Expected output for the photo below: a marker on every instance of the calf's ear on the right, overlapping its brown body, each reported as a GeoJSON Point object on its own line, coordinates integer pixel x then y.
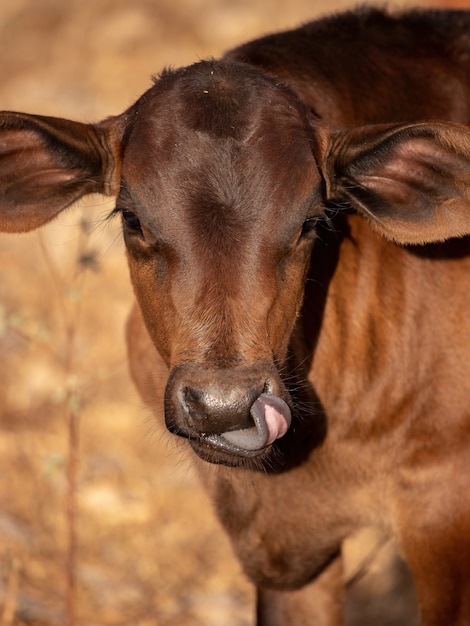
{"type": "Point", "coordinates": [412, 180]}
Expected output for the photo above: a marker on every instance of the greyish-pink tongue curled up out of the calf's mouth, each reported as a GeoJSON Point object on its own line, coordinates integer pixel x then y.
{"type": "Point", "coordinates": [271, 417]}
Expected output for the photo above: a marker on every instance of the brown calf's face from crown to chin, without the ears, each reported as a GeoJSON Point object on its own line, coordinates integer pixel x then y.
{"type": "Point", "coordinates": [219, 272]}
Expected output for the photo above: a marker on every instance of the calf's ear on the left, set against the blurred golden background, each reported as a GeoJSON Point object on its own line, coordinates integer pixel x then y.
{"type": "Point", "coordinates": [46, 164]}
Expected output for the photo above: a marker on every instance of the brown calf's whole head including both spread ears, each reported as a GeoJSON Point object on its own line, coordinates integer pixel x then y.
{"type": "Point", "coordinates": [221, 176]}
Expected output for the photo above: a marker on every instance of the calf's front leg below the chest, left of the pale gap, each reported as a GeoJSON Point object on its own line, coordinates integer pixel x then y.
{"type": "Point", "coordinates": [318, 604]}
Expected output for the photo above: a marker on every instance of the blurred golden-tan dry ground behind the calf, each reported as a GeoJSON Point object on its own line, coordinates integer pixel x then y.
{"type": "Point", "coordinates": [148, 550]}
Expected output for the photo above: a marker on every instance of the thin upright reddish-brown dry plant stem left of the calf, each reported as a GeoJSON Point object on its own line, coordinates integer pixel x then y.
{"type": "Point", "coordinates": [70, 317]}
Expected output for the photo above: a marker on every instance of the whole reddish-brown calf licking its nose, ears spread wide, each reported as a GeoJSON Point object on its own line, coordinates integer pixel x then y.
{"type": "Point", "coordinates": [324, 368]}
